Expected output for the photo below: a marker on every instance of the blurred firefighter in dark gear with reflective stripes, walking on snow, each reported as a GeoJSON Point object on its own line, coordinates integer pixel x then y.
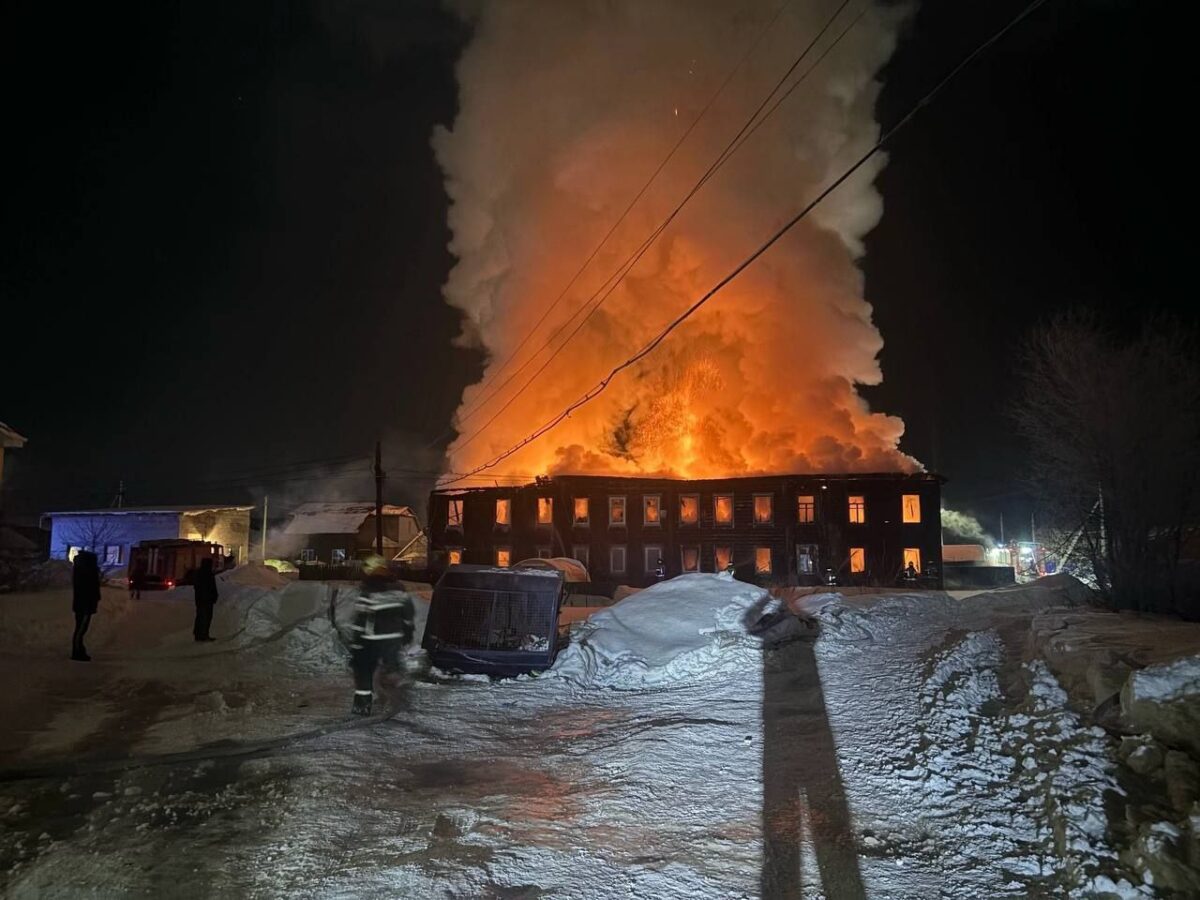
{"type": "Point", "coordinates": [381, 628]}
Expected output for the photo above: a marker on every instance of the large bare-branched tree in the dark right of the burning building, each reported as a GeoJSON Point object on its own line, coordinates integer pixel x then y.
{"type": "Point", "coordinates": [1114, 430]}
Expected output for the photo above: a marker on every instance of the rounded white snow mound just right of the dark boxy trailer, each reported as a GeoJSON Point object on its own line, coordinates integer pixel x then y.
{"type": "Point", "coordinates": [681, 631]}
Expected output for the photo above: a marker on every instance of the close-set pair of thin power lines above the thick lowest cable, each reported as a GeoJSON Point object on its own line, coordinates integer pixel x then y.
{"type": "Point", "coordinates": [619, 277]}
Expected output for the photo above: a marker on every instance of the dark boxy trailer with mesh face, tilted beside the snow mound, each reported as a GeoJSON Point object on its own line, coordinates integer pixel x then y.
{"type": "Point", "coordinates": [491, 621]}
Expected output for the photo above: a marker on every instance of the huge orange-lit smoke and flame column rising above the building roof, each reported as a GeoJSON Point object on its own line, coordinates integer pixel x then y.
{"type": "Point", "coordinates": [566, 109]}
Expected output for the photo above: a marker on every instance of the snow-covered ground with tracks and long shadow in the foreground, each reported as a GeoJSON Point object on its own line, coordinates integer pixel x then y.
{"type": "Point", "coordinates": [694, 741]}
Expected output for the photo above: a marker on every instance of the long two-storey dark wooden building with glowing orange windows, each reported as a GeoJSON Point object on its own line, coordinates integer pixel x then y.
{"type": "Point", "coordinates": [772, 530]}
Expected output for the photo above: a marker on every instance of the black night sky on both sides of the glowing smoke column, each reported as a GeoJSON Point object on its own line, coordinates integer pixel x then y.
{"type": "Point", "coordinates": [226, 237]}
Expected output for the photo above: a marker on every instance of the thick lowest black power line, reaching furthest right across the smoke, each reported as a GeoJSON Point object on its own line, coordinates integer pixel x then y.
{"type": "Point", "coordinates": [771, 242]}
